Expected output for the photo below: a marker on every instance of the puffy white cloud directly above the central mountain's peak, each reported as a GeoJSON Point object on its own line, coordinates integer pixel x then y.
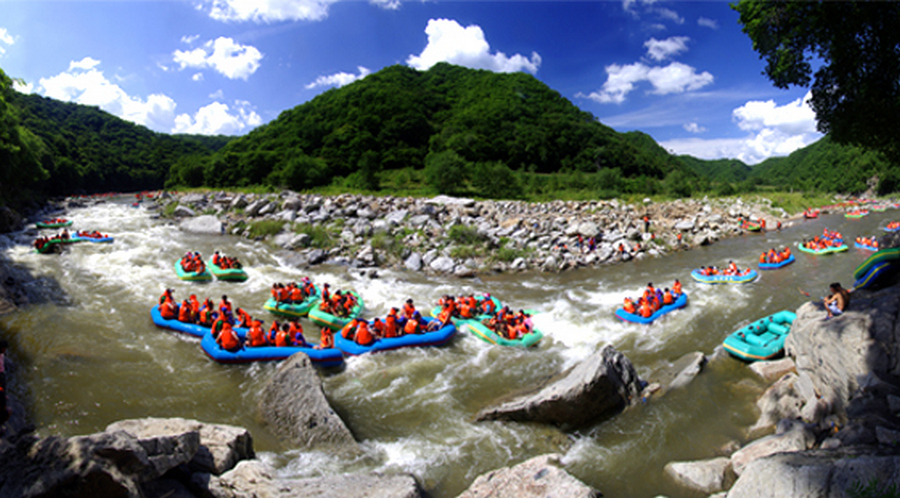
{"type": "Point", "coordinates": [450, 42]}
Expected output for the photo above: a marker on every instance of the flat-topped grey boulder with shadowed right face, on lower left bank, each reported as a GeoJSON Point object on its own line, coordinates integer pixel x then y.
{"type": "Point", "coordinates": [220, 447]}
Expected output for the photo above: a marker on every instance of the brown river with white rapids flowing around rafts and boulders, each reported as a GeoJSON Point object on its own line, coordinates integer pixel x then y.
{"type": "Point", "coordinates": [91, 355]}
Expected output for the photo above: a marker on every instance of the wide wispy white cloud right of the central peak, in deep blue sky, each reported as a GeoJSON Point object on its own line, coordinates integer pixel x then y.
{"type": "Point", "coordinates": [674, 78]}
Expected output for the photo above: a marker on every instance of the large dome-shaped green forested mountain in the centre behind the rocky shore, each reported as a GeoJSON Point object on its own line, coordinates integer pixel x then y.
{"type": "Point", "coordinates": [452, 122]}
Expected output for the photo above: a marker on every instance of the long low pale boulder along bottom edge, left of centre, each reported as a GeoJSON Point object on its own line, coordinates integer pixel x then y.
{"type": "Point", "coordinates": [253, 478]}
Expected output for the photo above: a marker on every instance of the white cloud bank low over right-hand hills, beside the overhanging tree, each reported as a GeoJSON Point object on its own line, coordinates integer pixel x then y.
{"type": "Point", "coordinates": [774, 131]}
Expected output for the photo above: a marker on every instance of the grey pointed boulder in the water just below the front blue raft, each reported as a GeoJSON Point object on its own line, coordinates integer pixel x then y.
{"type": "Point", "coordinates": [293, 403]}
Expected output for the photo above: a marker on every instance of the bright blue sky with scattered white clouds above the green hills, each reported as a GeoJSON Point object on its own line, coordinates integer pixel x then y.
{"type": "Point", "coordinates": [682, 72]}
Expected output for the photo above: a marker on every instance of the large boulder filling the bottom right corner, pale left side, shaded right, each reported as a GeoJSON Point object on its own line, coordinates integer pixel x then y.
{"type": "Point", "coordinates": [819, 474]}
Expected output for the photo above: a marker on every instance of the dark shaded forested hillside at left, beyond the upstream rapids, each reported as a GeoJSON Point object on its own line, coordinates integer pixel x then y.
{"type": "Point", "coordinates": [85, 149]}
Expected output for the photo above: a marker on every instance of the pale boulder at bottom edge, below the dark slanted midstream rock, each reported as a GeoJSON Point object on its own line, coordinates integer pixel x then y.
{"type": "Point", "coordinates": [539, 477]}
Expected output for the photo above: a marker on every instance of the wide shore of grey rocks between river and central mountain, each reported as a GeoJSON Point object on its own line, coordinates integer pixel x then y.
{"type": "Point", "coordinates": [447, 235]}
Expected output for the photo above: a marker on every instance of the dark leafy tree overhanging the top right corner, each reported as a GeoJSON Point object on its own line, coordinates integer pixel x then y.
{"type": "Point", "coordinates": [856, 89]}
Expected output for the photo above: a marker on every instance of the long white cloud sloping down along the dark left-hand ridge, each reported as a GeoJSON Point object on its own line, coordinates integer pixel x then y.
{"type": "Point", "coordinates": [84, 84]}
